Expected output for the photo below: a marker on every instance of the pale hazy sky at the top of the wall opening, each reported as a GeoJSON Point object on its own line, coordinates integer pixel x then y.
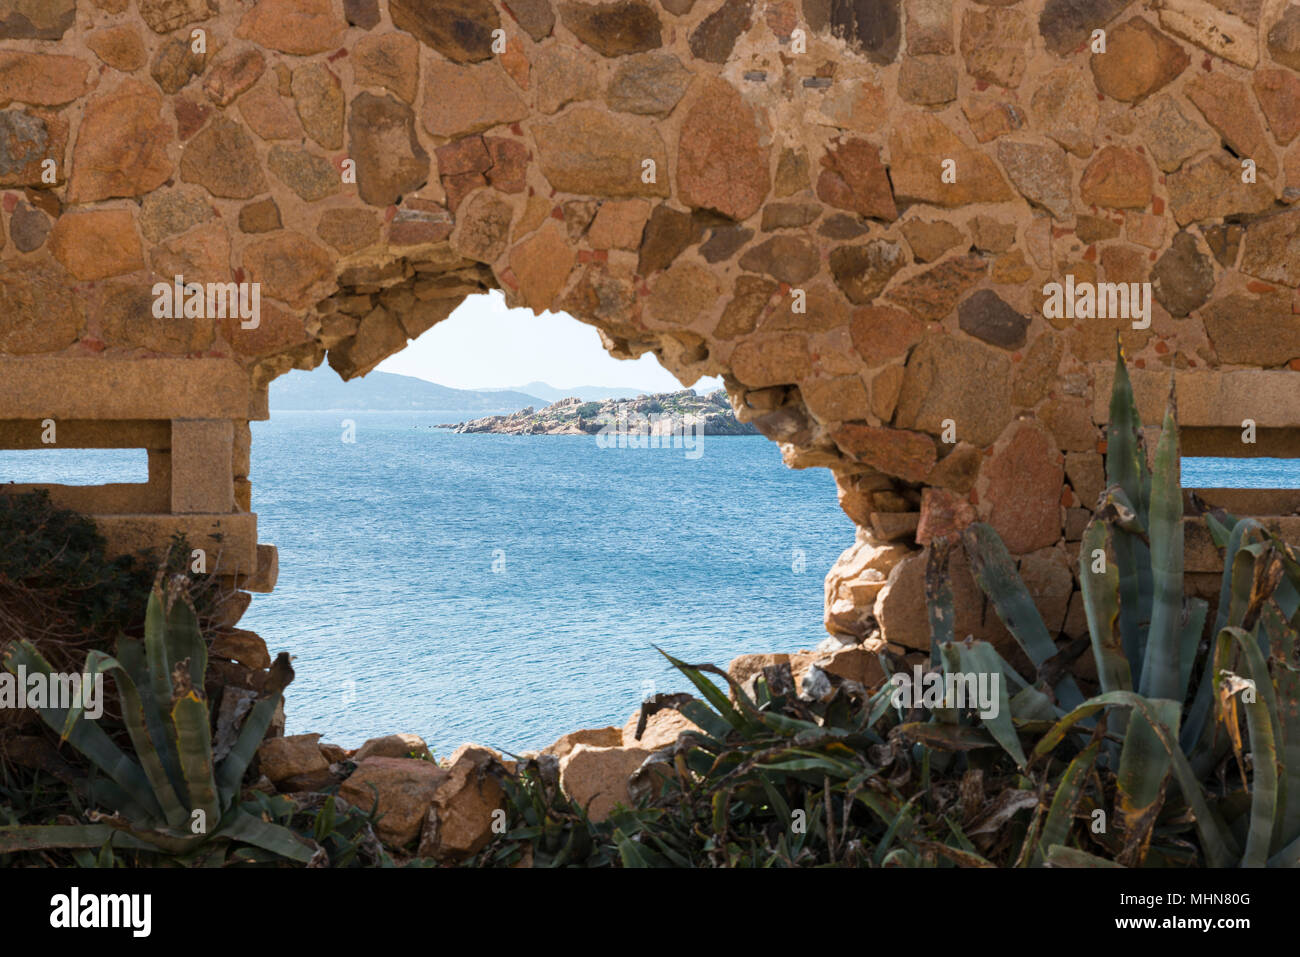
{"type": "Point", "coordinates": [483, 345]}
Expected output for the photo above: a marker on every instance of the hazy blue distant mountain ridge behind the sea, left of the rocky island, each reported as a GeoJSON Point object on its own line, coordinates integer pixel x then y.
{"type": "Point", "coordinates": [383, 392]}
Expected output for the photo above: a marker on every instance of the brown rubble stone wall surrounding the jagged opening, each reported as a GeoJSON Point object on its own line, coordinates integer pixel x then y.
{"type": "Point", "coordinates": [847, 209]}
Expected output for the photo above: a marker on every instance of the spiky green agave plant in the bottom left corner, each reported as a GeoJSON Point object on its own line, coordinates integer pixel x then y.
{"type": "Point", "coordinates": [172, 799]}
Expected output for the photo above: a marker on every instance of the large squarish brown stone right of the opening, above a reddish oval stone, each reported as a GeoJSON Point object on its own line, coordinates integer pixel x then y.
{"type": "Point", "coordinates": [963, 382]}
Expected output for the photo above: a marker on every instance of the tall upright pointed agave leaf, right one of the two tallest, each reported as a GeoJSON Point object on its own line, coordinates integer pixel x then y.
{"type": "Point", "coordinates": [1162, 668]}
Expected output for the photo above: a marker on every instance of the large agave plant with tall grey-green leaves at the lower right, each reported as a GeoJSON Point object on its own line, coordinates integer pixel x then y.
{"type": "Point", "coordinates": [1163, 717]}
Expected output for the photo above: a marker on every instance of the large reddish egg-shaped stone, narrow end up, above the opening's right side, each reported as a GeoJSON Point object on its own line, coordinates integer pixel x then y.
{"type": "Point", "coordinates": [722, 162]}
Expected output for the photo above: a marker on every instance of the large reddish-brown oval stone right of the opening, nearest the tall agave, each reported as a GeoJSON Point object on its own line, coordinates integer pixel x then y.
{"type": "Point", "coordinates": [1020, 490]}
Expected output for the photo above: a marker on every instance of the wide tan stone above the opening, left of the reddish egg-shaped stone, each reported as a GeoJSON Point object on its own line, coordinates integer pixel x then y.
{"type": "Point", "coordinates": [587, 151]}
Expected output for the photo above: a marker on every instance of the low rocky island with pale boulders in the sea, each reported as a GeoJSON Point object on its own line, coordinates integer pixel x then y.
{"type": "Point", "coordinates": [648, 415]}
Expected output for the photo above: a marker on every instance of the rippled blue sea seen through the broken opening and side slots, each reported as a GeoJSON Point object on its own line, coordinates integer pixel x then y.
{"type": "Point", "coordinates": [508, 590]}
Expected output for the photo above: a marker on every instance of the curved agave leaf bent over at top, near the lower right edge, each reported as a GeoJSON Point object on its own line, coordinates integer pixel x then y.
{"type": "Point", "coordinates": [1262, 720]}
